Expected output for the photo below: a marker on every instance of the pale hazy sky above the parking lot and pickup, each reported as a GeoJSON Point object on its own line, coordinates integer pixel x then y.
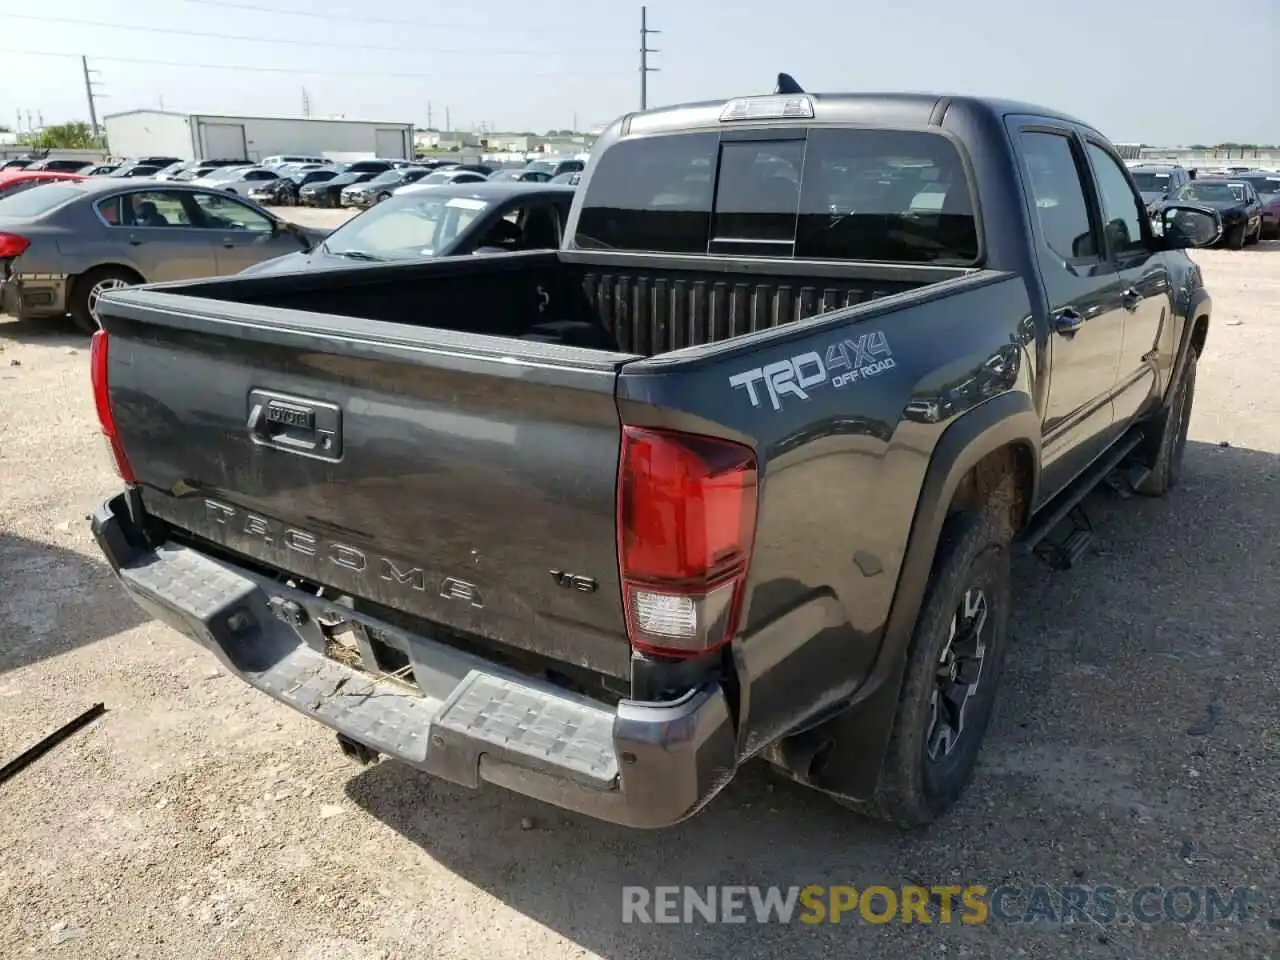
{"type": "Point", "coordinates": [1165, 72]}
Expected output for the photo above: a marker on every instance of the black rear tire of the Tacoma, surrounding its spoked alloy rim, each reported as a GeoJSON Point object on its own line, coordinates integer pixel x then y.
{"type": "Point", "coordinates": [913, 788]}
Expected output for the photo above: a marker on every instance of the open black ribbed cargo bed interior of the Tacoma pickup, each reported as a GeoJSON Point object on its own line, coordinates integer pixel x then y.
{"type": "Point", "coordinates": [634, 305]}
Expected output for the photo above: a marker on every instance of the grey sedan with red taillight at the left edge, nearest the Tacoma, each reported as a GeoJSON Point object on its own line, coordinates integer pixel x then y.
{"type": "Point", "coordinates": [63, 245]}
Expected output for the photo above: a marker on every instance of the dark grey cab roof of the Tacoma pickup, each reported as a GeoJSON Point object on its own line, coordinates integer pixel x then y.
{"type": "Point", "coordinates": [885, 108]}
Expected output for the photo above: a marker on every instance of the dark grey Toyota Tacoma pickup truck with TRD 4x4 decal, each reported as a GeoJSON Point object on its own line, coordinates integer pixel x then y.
{"type": "Point", "coordinates": [735, 473]}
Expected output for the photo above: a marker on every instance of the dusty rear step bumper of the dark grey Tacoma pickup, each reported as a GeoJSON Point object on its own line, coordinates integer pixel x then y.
{"type": "Point", "coordinates": [468, 721]}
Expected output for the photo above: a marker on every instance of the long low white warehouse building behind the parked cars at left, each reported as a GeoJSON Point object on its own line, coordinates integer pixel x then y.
{"type": "Point", "coordinates": [209, 138]}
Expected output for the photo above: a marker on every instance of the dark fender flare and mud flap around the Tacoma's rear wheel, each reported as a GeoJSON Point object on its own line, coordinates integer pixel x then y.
{"type": "Point", "coordinates": [861, 734]}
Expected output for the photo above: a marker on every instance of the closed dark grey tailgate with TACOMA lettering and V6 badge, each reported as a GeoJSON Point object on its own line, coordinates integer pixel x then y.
{"type": "Point", "coordinates": [444, 476]}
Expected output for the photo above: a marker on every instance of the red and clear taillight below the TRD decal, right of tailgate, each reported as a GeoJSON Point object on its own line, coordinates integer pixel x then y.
{"type": "Point", "coordinates": [687, 524]}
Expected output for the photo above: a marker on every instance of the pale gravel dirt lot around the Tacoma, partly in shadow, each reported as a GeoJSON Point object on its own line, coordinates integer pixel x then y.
{"type": "Point", "coordinates": [1137, 743]}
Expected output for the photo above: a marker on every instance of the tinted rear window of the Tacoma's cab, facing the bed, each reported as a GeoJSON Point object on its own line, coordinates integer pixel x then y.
{"type": "Point", "coordinates": [828, 194]}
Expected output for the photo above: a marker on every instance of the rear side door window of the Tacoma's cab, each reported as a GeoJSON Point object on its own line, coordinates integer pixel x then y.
{"type": "Point", "coordinates": [1058, 190]}
